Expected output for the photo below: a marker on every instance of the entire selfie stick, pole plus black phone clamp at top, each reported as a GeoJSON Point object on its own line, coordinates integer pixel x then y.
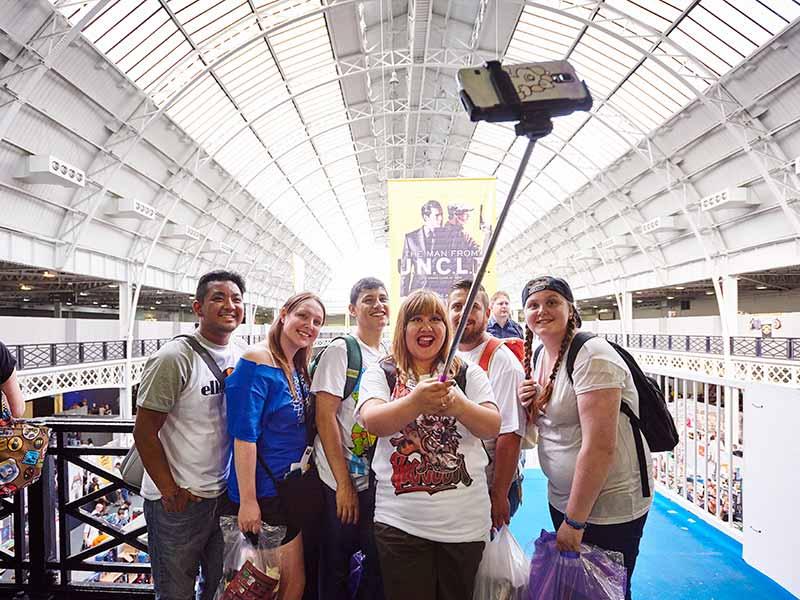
{"type": "Point", "coordinates": [534, 123]}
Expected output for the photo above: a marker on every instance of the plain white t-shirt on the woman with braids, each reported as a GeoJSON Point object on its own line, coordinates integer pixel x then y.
{"type": "Point", "coordinates": [597, 367]}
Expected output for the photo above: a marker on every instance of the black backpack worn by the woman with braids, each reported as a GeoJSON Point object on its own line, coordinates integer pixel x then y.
{"type": "Point", "coordinates": [654, 421]}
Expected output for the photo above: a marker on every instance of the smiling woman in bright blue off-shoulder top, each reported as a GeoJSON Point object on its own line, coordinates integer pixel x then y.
{"type": "Point", "coordinates": [266, 396]}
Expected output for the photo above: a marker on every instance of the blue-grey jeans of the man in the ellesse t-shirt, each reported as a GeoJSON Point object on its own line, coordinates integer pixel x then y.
{"type": "Point", "coordinates": [180, 545]}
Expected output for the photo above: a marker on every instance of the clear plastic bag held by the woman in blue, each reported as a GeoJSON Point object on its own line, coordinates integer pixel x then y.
{"type": "Point", "coordinates": [239, 549]}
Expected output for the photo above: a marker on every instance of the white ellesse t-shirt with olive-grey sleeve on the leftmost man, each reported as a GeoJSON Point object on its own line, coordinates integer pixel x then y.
{"type": "Point", "coordinates": [178, 382]}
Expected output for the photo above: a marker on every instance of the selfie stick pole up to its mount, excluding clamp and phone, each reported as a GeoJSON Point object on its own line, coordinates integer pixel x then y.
{"type": "Point", "coordinates": [533, 127]}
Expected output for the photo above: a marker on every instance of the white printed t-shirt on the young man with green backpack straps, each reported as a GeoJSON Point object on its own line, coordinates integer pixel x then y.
{"type": "Point", "coordinates": [330, 377]}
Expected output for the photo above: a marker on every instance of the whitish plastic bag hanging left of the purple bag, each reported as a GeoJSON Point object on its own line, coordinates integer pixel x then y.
{"type": "Point", "coordinates": [503, 572]}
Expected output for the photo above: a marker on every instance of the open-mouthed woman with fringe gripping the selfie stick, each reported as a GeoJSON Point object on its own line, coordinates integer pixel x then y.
{"type": "Point", "coordinates": [432, 513]}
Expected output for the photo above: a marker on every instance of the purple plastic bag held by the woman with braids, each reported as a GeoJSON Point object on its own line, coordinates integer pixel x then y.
{"type": "Point", "coordinates": [592, 574]}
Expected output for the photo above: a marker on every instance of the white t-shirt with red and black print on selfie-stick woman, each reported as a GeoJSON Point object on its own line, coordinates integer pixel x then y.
{"type": "Point", "coordinates": [431, 477]}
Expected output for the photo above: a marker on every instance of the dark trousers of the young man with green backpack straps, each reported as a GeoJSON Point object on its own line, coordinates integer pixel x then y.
{"type": "Point", "coordinates": [339, 543]}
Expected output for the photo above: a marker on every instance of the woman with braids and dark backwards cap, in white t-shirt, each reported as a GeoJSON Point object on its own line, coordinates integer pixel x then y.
{"type": "Point", "coordinates": [586, 450]}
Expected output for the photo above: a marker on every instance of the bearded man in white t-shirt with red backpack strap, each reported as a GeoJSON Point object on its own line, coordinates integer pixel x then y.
{"type": "Point", "coordinates": [505, 374]}
